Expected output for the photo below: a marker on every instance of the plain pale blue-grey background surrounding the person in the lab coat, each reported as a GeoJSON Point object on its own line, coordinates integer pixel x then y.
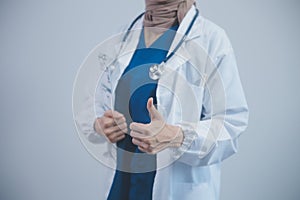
{"type": "Point", "coordinates": [42, 44]}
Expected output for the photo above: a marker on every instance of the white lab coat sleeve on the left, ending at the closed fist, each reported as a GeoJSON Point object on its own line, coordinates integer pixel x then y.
{"type": "Point", "coordinates": [97, 99]}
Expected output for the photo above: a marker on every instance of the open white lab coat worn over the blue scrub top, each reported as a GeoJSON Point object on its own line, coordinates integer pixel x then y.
{"type": "Point", "coordinates": [213, 129]}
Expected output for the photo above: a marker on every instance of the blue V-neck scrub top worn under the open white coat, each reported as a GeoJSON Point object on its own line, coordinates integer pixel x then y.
{"type": "Point", "coordinates": [132, 93]}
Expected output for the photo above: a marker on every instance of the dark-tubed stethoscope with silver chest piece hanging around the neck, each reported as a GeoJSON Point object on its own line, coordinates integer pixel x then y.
{"type": "Point", "coordinates": [156, 70]}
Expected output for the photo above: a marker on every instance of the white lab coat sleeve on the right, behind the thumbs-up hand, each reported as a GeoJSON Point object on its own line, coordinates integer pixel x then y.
{"type": "Point", "coordinates": [215, 136]}
